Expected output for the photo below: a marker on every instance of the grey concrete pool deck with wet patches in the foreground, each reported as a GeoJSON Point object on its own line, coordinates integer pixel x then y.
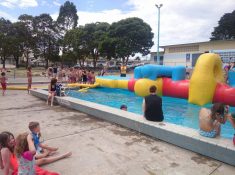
{"type": "Point", "coordinates": [100, 147]}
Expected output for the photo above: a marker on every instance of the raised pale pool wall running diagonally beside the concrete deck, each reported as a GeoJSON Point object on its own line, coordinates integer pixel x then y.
{"type": "Point", "coordinates": [218, 148]}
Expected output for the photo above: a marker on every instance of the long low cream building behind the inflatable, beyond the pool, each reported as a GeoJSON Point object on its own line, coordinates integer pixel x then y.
{"type": "Point", "coordinates": [187, 54]}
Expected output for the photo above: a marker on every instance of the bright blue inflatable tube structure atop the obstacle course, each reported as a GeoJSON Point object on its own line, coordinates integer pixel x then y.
{"type": "Point", "coordinates": [154, 71]}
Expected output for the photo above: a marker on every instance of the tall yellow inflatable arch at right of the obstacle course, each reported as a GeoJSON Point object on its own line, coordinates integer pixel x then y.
{"type": "Point", "coordinates": [207, 73]}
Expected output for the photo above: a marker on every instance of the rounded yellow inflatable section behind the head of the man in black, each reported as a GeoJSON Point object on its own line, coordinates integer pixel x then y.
{"type": "Point", "coordinates": [142, 86]}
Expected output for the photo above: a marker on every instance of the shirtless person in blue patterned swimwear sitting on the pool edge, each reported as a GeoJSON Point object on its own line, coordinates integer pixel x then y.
{"type": "Point", "coordinates": [210, 120]}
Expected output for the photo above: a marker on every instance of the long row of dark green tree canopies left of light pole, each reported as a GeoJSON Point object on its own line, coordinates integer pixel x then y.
{"type": "Point", "coordinates": [42, 36]}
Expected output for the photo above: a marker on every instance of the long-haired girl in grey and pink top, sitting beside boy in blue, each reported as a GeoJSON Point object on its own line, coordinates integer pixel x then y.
{"type": "Point", "coordinates": [25, 154]}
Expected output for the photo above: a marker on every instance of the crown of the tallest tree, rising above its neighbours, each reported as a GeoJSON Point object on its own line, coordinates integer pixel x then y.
{"type": "Point", "coordinates": [68, 18]}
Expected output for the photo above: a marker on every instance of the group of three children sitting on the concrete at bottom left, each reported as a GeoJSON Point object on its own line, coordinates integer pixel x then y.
{"type": "Point", "coordinates": [26, 153]}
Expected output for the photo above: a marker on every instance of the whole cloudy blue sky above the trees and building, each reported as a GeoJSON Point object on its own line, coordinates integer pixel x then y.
{"type": "Point", "coordinates": [182, 21]}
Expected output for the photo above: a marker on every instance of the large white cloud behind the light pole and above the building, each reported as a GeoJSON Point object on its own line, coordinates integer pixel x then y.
{"type": "Point", "coordinates": [181, 21]}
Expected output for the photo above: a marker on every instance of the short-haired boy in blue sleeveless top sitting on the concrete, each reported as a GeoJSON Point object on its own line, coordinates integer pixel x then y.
{"type": "Point", "coordinates": [41, 149]}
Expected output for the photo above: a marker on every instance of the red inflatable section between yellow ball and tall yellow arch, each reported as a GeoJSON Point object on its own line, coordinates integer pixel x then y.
{"type": "Point", "coordinates": [178, 89]}
